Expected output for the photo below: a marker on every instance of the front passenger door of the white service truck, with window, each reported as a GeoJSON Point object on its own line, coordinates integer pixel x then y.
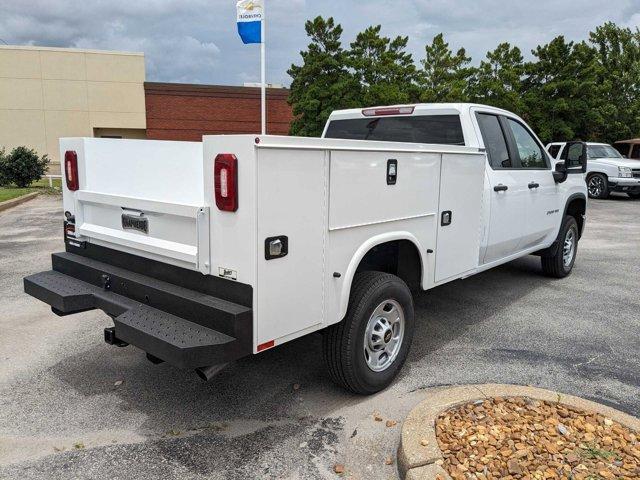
{"type": "Point", "coordinates": [543, 209]}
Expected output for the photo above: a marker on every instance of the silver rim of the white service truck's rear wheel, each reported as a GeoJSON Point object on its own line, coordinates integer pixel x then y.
{"type": "Point", "coordinates": [384, 335]}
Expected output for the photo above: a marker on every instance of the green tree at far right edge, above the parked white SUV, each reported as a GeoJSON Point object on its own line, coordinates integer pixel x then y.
{"type": "Point", "coordinates": [618, 55]}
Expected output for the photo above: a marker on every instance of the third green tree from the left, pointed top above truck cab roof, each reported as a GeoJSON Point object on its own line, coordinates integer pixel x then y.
{"type": "Point", "coordinates": [445, 75]}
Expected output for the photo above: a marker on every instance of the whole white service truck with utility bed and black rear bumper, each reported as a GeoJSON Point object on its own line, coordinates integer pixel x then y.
{"type": "Point", "coordinates": [203, 253]}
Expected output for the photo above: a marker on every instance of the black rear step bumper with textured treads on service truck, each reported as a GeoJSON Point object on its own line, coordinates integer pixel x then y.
{"type": "Point", "coordinates": [185, 328]}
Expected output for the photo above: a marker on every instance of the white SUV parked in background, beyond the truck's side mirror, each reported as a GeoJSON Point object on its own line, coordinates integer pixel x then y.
{"type": "Point", "coordinates": [607, 170]}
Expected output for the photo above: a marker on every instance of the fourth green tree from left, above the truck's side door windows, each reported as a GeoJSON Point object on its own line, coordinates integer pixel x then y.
{"type": "Point", "coordinates": [498, 79]}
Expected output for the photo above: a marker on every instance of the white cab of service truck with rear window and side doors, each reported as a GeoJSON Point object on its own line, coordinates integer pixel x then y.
{"type": "Point", "coordinates": [521, 200]}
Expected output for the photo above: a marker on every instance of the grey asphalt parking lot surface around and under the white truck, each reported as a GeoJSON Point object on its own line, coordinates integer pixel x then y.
{"type": "Point", "coordinates": [73, 407]}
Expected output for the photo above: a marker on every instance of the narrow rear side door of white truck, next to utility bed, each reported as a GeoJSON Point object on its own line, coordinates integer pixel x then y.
{"type": "Point", "coordinates": [507, 190]}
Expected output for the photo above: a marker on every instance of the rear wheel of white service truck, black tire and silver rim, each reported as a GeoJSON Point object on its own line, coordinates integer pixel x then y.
{"type": "Point", "coordinates": [366, 350]}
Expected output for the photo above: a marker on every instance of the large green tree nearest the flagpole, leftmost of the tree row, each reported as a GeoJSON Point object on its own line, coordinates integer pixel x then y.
{"type": "Point", "coordinates": [323, 82]}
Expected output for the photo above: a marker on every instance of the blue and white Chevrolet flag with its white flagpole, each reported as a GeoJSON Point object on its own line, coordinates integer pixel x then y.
{"type": "Point", "coordinates": [251, 27]}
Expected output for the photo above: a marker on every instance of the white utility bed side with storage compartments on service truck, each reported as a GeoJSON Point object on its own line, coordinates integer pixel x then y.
{"type": "Point", "coordinates": [332, 201]}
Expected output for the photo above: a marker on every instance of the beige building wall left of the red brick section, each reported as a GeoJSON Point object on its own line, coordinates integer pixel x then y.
{"type": "Point", "coordinates": [48, 93]}
